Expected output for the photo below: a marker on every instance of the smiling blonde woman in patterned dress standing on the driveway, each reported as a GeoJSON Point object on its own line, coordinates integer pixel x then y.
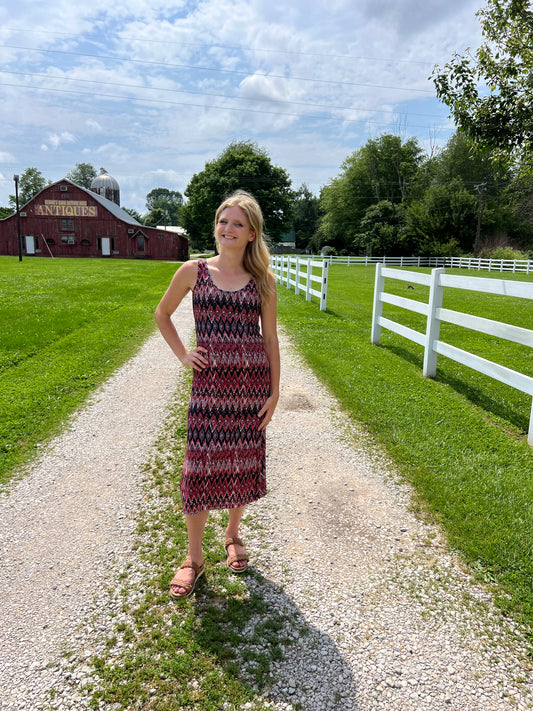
{"type": "Point", "coordinates": [235, 388]}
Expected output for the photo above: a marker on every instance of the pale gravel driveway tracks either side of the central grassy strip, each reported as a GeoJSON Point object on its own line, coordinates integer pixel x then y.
{"type": "Point", "coordinates": [377, 613]}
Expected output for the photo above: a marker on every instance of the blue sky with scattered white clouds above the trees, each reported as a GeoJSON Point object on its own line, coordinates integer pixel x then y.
{"type": "Point", "coordinates": [152, 90]}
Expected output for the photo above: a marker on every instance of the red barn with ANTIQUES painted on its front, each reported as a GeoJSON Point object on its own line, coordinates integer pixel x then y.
{"type": "Point", "coordinates": [66, 220]}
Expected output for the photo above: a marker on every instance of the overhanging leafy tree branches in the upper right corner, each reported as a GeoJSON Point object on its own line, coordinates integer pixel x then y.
{"type": "Point", "coordinates": [490, 94]}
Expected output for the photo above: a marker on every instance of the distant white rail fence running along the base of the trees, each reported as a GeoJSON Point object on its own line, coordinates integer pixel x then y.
{"type": "Point", "coordinates": [523, 266]}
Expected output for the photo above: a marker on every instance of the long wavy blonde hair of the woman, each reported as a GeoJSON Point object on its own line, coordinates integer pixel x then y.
{"type": "Point", "coordinates": [256, 259]}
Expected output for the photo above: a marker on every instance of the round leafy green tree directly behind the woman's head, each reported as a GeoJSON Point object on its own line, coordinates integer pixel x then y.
{"type": "Point", "coordinates": [242, 165]}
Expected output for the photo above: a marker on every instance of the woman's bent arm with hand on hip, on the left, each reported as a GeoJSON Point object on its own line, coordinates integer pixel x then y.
{"type": "Point", "coordinates": [183, 281]}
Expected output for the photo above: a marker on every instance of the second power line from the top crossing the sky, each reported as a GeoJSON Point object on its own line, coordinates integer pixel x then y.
{"type": "Point", "coordinates": [211, 69]}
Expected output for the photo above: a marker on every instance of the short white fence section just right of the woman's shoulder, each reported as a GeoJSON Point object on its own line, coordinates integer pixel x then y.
{"type": "Point", "coordinates": [298, 272]}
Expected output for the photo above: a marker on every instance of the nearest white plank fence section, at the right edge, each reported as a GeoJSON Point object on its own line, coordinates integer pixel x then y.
{"type": "Point", "coordinates": [435, 314]}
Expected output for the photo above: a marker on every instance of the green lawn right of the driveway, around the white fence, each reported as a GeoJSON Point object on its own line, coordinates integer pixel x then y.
{"type": "Point", "coordinates": [460, 438]}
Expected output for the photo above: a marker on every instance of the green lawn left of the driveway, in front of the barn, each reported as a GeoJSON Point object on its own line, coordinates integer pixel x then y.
{"type": "Point", "coordinates": [66, 325]}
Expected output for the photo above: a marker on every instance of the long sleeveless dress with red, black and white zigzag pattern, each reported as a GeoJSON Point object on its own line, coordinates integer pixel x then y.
{"type": "Point", "coordinates": [224, 463]}
